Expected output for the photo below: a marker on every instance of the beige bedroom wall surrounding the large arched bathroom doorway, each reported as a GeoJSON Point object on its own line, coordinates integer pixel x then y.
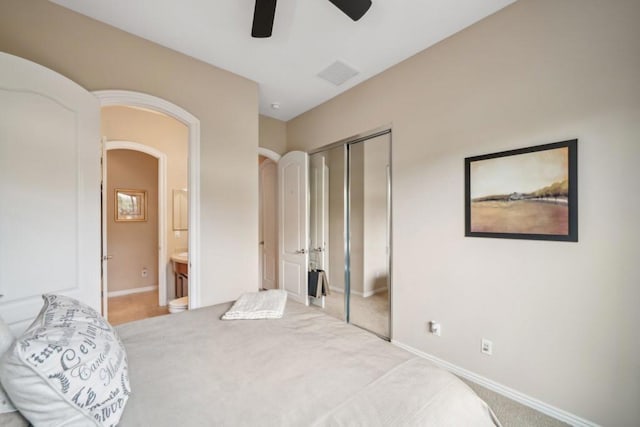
{"type": "Point", "coordinates": [97, 56]}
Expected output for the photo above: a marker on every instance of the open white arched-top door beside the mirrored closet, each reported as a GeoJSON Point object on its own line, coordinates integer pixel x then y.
{"type": "Point", "coordinates": [293, 229]}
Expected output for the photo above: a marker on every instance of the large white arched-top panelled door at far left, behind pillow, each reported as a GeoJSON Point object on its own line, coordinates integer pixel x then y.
{"type": "Point", "coordinates": [49, 188]}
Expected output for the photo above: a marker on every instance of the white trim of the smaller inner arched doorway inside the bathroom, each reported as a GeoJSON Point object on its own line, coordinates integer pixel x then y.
{"type": "Point", "coordinates": [162, 208]}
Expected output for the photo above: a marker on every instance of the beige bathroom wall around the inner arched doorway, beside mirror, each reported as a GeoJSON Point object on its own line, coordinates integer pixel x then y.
{"type": "Point", "coordinates": [168, 136]}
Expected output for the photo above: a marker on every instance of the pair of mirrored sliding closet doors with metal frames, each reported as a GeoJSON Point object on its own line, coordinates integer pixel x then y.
{"type": "Point", "coordinates": [350, 207]}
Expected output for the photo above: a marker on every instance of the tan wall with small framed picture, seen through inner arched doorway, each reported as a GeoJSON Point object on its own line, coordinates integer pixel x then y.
{"type": "Point", "coordinates": [133, 245]}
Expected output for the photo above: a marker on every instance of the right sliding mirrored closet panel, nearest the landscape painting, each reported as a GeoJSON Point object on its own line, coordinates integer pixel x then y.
{"type": "Point", "coordinates": [369, 234]}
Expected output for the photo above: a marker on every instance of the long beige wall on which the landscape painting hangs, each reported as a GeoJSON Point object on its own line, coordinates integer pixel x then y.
{"type": "Point", "coordinates": [536, 72]}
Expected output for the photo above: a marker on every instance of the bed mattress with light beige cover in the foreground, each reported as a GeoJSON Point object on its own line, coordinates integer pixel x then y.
{"type": "Point", "coordinates": [305, 369]}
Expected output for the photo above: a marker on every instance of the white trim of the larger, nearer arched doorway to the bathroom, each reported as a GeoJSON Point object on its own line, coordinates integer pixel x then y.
{"type": "Point", "coordinates": [142, 100]}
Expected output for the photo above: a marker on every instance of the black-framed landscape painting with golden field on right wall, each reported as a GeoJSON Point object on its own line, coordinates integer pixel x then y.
{"type": "Point", "coordinates": [528, 193]}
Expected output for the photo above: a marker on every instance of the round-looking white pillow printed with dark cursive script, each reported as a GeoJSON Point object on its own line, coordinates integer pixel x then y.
{"type": "Point", "coordinates": [68, 368]}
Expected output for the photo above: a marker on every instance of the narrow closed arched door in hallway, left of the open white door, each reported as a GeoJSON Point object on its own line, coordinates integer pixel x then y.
{"type": "Point", "coordinates": [268, 221]}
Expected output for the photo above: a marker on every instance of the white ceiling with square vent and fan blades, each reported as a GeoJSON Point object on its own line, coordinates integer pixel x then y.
{"type": "Point", "coordinates": [308, 36]}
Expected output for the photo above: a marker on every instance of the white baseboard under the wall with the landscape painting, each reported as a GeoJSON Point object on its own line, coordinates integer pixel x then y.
{"type": "Point", "coordinates": [512, 394]}
